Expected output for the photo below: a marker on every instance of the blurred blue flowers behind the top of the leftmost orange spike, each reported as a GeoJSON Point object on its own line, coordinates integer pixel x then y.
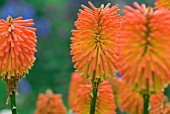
{"type": "Point", "coordinates": [16, 9]}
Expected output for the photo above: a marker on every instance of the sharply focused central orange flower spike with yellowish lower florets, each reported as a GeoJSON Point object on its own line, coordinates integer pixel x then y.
{"type": "Point", "coordinates": [93, 42]}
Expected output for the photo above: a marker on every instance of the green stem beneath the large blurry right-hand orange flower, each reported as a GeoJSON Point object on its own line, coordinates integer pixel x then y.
{"type": "Point", "coordinates": [146, 104]}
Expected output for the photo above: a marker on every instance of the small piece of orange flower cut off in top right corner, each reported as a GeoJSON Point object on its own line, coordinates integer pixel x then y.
{"type": "Point", "coordinates": [162, 4]}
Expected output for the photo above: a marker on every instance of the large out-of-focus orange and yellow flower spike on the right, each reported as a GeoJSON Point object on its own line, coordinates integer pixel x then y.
{"type": "Point", "coordinates": [144, 59]}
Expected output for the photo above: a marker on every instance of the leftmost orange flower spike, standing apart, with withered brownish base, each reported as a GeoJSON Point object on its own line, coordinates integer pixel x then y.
{"type": "Point", "coordinates": [17, 48]}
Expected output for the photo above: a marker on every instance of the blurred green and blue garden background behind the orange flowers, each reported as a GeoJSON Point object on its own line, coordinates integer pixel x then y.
{"type": "Point", "coordinates": [54, 21]}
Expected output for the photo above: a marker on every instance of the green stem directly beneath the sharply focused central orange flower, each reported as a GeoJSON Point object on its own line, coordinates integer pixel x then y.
{"type": "Point", "coordinates": [93, 99]}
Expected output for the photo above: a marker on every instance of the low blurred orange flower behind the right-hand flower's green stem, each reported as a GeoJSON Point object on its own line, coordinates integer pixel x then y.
{"type": "Point", "coordinates": [132, 101]}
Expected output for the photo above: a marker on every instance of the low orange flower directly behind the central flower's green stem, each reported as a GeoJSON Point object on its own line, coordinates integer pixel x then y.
{"type": "Point", "coordinates": [105, 100]}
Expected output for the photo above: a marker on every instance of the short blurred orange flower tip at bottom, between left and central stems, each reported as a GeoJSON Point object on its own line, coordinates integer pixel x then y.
{"type": "Point", "coordinates": [50, 103]}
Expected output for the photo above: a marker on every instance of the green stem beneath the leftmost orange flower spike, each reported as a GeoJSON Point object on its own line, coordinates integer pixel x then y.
{"type": "Point", "coordinates": [13, 103]}
